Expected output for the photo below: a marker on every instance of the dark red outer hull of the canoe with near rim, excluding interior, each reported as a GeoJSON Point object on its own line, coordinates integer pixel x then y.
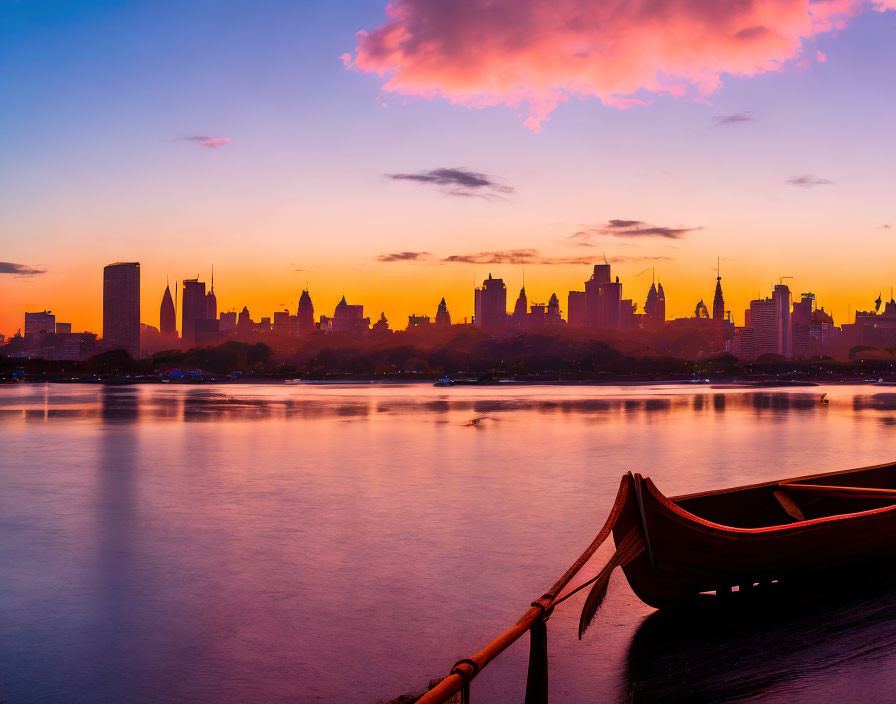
{"type": "Point", "coordinates": [687, 555]}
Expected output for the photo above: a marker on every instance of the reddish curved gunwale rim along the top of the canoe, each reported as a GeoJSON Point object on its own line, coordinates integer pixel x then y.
{"type": "Point", "coordinates": [669, 503]}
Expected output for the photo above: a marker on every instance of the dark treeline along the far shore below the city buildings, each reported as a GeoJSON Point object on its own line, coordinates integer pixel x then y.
{"type": "Point", "coordinates": [567, 353]}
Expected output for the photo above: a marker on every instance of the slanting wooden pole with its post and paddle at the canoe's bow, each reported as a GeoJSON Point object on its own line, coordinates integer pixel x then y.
{"type": "Point", "coordinates": [533, 621]}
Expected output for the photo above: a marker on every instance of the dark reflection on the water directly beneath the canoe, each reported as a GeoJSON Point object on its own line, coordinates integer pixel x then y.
{"type": "Point", "coordinates": [752, 648]}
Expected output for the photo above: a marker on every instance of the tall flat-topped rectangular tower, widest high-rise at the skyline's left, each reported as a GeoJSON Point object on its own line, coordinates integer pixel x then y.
{"type": "Point", "coordinates": [121, 307]}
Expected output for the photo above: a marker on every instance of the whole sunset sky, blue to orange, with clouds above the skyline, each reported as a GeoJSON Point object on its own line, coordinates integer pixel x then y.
{"type": "Point", "coordinates": [396, 155]}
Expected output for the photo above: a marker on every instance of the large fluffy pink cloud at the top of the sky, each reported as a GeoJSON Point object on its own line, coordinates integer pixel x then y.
{"type": "Point", "coordinates": [536, 54]}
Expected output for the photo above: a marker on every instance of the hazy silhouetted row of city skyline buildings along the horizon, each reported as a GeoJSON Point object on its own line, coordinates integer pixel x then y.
{"type": "Point", "coordinates": [776, 325]}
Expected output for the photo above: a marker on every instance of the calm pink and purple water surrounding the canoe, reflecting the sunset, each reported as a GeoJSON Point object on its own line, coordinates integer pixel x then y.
{"type": "Point", "coordinates": [315, 543]}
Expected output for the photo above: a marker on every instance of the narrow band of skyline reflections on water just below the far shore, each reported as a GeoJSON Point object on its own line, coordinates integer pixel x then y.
{"type": "Point", "coordinates": [191, 404]}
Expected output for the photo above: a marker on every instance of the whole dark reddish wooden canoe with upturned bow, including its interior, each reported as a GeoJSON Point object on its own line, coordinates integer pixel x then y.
{"type": "Point", "coordinates": [806, 529]}
